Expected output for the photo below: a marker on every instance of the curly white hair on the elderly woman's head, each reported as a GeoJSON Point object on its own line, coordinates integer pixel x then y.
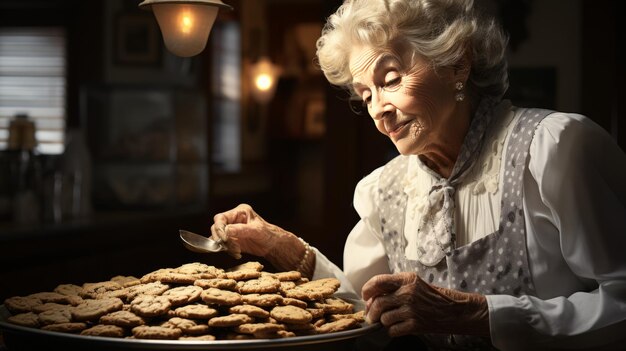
{"type": "Point", "coordinates": [438, 30]}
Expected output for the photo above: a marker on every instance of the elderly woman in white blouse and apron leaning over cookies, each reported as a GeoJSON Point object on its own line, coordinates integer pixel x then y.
{"type": "Point", "coordinates": [496, 226]}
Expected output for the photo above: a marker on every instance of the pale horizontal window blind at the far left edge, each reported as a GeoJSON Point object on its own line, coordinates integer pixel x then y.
{"type": "Point", "coordinates": [33, 82]}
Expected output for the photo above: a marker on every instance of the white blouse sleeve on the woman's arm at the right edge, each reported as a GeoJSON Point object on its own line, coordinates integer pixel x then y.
{"type": "Point", "coordinates": [579, 173]}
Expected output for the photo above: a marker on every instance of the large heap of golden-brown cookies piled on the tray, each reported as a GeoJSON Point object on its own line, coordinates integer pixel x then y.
{"type": "Point", "coordinates": [194, 301]}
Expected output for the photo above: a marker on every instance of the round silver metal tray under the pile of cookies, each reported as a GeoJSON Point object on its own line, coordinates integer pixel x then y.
{"type": "Point", "coordinates": [23, 338]}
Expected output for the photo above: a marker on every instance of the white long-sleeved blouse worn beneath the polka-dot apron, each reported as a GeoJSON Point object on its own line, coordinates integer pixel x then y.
{"type": "Point", "coordinates": [575, 206]}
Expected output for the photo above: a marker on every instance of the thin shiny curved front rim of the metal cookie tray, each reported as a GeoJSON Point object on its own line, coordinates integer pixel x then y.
{"type": "Point", "coordinates": [9, 328]}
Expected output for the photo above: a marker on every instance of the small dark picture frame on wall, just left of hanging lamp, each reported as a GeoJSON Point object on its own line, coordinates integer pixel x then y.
{"type": "Point", "coordinates": [137, 40]}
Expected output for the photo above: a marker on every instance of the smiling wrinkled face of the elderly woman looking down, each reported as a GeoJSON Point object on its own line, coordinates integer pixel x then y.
{"type": "Point", "coordinates": [410, 103]}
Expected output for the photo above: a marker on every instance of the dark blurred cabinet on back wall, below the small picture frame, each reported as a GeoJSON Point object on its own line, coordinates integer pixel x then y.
{"type": "Point", "coordinates": [149, 146]}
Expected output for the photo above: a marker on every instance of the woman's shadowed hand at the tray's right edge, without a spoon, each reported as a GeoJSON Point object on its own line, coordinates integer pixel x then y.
{"type": "Point", "coordinates": [405, 304]}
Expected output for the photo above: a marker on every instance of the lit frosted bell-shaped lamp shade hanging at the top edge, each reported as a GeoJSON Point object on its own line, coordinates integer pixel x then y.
{"type": "Point", "coordinates": [185, 25]}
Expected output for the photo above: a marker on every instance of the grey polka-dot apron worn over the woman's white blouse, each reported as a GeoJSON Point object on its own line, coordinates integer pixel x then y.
{"type": "Point", "coordinates": [494, 264]}
